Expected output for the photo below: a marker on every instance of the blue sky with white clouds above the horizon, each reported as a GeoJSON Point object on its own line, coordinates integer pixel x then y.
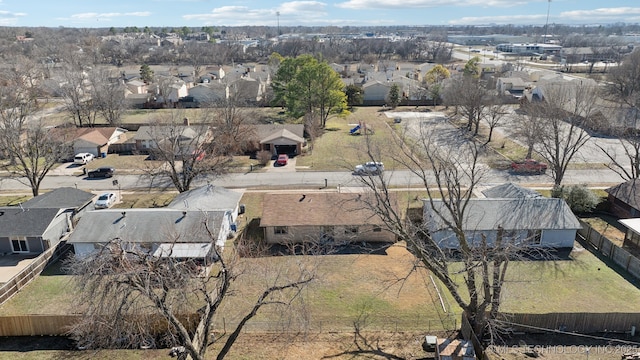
{"type": "Point", "coordinates": [198, 13]}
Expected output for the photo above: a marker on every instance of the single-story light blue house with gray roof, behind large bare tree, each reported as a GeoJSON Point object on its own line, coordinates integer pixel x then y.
{"type": "Point", "coordinates": [534, 222]}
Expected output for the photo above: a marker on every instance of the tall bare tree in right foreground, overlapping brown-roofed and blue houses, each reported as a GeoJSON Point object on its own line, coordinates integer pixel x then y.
{"type": "Point", "coordinates": [449, 173]}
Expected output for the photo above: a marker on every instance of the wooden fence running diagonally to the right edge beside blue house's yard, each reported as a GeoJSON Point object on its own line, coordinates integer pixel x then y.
{"type": "Point", "coordinates": [604, 246]}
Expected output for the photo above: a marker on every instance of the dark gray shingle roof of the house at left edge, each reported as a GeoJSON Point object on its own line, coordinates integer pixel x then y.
{"type": "Point", "coordinates": [25, 222]}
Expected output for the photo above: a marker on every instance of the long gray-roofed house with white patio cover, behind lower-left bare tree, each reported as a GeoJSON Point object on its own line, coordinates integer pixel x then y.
{"type": "Point", "coordinates": [154, 230]}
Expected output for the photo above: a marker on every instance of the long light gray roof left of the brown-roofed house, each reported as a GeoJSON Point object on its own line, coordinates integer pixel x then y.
{"type": "Point", "coordinates": [147, 226]}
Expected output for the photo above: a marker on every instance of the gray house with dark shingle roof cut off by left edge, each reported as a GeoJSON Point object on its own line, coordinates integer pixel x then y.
{"type": "Point", "coordinates": [31, 230]}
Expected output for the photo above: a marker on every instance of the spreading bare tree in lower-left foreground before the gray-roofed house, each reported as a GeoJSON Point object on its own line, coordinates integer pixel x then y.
{"type": "Point", "coordinates": [131, 298]}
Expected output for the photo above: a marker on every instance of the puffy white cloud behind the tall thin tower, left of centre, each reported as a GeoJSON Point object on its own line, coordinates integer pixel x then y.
{"type": "Point", "coordinates": [290, 13]}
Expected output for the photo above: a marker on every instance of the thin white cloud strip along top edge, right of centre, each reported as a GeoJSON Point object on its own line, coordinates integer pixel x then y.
{"type": "Point", "coordinates": [403, 4]}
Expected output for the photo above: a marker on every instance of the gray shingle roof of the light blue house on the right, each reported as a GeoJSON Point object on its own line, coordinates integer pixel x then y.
{"type": "Point", "coordinates": [511, 214]}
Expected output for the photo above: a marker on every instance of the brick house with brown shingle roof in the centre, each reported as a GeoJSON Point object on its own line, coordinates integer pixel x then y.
{"type": "Point", "coordinates": [318, 217]}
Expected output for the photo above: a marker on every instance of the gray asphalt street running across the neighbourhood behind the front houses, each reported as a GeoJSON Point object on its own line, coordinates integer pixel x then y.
{"type": "Point", "coordinates": [304, 179]}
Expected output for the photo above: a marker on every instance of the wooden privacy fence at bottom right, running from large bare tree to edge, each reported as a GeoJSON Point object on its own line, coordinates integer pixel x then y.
{"type": "Point", "coordinates": [584, 323]}
